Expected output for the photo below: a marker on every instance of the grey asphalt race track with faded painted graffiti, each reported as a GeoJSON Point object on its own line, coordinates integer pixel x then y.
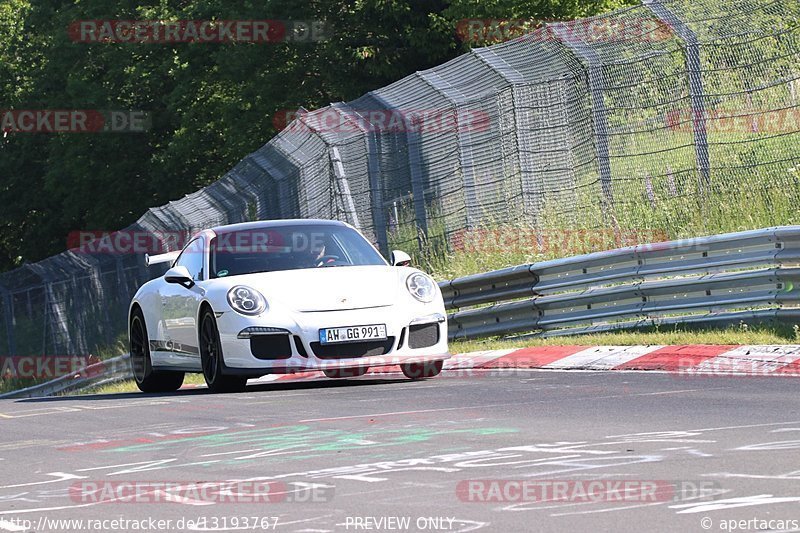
{"type": "Point", "coordinates": [386, 454]}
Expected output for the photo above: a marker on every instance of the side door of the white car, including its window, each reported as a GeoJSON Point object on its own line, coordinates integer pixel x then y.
{"type": "Point", "coordinates": [180, 305]}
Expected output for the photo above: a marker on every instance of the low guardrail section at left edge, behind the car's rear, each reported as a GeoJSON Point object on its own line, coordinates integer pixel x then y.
{"type": "Point", "coordinates": [104, 372]}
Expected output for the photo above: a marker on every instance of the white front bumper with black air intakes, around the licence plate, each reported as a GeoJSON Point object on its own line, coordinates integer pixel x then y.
{"type": "Point", "coordinates": [415, 334]}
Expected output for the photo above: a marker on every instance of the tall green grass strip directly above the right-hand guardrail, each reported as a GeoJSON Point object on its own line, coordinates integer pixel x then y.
{"type": "Point", "coordinates": [728, 206]}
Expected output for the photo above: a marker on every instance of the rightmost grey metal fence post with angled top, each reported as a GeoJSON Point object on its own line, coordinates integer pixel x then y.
{"type": "Point", "coordinates": [696, 91]}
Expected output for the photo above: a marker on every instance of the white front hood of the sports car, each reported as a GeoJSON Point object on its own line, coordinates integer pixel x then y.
{"type": "Point", "coordinates": [327, 289]}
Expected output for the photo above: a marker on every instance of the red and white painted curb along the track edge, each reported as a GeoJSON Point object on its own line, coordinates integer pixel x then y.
{"type": "Point", "coordinates": [685, 360]}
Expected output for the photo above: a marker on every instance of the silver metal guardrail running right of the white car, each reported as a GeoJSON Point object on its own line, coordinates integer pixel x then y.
{"type": "Point", "coordinates": [750, 276]}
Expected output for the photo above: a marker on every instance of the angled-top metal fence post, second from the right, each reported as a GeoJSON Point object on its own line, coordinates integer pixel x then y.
{"type": "Point", "coordinates": [599, 110]}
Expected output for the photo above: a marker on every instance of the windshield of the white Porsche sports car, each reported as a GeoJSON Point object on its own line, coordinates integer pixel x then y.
{"type": "Point", "coordinates": [291, 247]}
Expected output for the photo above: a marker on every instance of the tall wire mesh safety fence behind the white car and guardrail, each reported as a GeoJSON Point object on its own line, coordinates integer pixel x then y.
{"type": "Point", "coordinates": [653, 116]}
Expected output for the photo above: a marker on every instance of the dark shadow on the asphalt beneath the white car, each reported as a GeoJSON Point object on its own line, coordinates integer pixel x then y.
{"type": "Point", "coordinates": [201, 390]}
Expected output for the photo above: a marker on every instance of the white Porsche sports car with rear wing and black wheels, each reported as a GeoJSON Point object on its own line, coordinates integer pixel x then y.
{"type": "Point", "coordinates": [246, 300]}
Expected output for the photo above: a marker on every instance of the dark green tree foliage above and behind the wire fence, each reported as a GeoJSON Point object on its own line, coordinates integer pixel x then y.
{"type": "Point", "coordinates": [209, 104]}
